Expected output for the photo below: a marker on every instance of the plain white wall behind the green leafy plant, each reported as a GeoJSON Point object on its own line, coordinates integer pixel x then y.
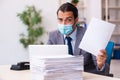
{"type": "Point", "coordinates": [11, 50]}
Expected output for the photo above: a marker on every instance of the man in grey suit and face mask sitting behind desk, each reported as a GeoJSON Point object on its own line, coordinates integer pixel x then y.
{"type": "Point", "coordinates": [67, 16]}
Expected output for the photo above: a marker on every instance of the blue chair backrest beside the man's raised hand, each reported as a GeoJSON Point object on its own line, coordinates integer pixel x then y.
{"type": "Point", "coordinates": [109, 51]}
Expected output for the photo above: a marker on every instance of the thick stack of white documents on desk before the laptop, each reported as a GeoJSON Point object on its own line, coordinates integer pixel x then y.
{"type": "Point", "coordinates": [66, 68]}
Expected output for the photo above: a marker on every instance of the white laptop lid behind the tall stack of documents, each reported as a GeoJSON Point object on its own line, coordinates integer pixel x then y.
{"type": "Point", "coordinates": [47, 51]}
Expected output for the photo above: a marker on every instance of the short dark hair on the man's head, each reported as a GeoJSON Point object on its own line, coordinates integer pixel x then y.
{"type": "Point", "coordinates": [68, 7]}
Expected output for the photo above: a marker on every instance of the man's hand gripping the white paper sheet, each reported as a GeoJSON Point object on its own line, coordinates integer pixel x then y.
{"type": "Point", "coordinates": [101, 58]}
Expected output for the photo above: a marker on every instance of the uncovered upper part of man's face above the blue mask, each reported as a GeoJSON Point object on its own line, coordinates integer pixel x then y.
{"type": "Point", "coordinates": [66, 18]}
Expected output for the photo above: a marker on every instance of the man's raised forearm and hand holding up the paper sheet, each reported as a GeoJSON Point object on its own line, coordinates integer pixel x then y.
{"type": "Point", "coordinates": [102, 67]}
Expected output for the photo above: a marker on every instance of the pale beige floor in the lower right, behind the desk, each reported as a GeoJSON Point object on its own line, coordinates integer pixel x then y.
{"type": "Point", "coordinates": [115, 67]}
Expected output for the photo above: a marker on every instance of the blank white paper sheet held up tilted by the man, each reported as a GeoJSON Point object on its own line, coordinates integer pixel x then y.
{"type": "Point", "coordinates": [96, 36]}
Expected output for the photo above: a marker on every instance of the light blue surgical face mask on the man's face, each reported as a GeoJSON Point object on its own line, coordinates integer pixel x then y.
{"type": "Point", "coordinates": [65, 29]}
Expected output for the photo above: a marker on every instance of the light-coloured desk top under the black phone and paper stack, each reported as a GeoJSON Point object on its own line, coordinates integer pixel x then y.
{"type": "Point", "coordinates": [7, 74]}
